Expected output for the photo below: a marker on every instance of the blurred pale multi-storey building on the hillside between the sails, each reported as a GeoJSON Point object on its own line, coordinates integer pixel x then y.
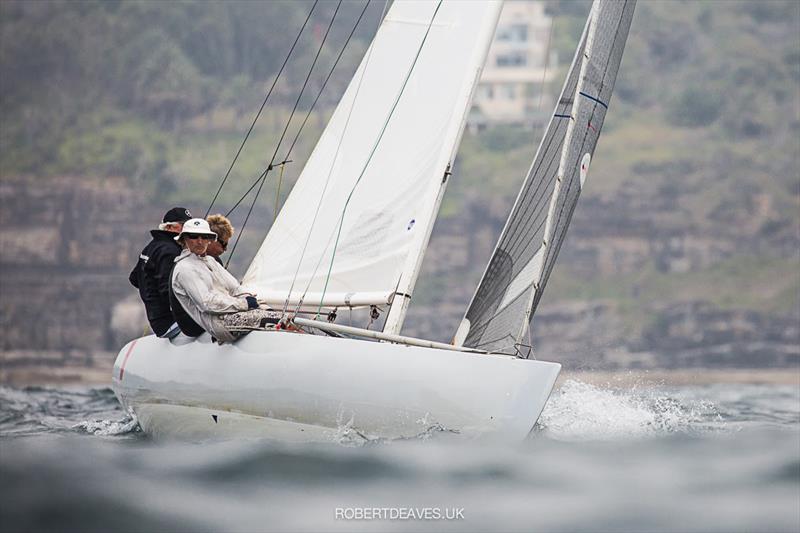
{"type": "Point", "coordinates": [520, 63]}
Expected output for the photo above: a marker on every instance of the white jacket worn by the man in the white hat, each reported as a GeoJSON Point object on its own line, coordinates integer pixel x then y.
{"type": "Point", "coordinates": [206, 290]}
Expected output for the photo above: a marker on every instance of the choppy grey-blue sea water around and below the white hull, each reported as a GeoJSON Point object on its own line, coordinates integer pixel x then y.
{"type": "Point", "coordinates": [712, 458]}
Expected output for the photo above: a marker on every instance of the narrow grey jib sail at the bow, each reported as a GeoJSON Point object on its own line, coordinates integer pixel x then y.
{"type": "Point", "coordinates": [500, 312]}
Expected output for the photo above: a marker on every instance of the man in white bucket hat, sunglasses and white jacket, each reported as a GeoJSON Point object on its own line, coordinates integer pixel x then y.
{"type": "Point", "coordinates": [209, 293]}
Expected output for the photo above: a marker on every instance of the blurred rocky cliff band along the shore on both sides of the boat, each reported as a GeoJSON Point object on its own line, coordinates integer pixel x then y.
{"type": "Point", "coordinates": [68, 245]}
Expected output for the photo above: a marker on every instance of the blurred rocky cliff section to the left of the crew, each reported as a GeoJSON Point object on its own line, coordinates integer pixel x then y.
{"type": "Point", "coordinates": [68, 245]}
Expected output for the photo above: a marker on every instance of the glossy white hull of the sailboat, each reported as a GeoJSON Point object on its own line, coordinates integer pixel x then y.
{"type": "Point", "coordinates": [299, 387]}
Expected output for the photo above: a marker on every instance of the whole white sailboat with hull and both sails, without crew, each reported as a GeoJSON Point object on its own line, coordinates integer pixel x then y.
{"type": "Point", "coordinates": [352, 235]}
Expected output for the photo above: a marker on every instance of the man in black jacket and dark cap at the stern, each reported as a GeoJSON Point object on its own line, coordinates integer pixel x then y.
{"type": "Point", "coordinates": [151, 275]}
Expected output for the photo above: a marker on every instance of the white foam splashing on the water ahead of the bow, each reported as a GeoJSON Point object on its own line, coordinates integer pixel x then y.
{"type": "Point", "coordinates": [580, 411]}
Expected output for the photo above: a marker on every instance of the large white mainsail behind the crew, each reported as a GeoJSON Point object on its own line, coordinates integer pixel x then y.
{"type": "Point", "coordinates": [356, 224]}
